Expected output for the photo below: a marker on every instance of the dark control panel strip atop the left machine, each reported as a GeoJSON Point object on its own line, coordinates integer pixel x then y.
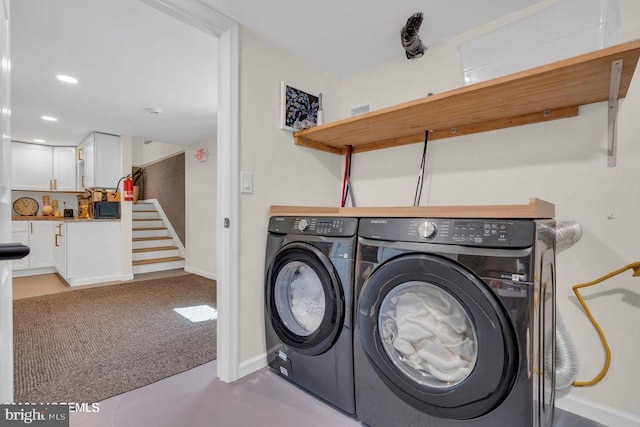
{"type": "Point", "coordinates": [314, 226]}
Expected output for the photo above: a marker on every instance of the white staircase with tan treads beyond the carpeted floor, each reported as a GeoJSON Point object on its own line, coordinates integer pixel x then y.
{"type": "Point", "coordinates": [155, 246]}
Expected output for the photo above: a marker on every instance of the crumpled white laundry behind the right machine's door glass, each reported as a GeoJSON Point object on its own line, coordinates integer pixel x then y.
{"type": "Point", "coordinates": [430, 332]}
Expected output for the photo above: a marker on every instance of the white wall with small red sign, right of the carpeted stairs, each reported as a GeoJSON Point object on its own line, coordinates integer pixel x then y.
{"type": "Point", "coordinates": [200, 210]}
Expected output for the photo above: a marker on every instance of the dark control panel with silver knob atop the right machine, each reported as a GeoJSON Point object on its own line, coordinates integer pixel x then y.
{"type": "Point", "coordinates": [465, 232]}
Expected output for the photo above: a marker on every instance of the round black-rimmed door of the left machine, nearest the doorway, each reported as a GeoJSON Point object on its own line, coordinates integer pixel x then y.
{"type": "Point", "coordinates": [304, 298]}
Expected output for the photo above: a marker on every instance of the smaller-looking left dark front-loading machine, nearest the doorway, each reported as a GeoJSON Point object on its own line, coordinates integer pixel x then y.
{"type": "Point", "coordinates": [308, 295]}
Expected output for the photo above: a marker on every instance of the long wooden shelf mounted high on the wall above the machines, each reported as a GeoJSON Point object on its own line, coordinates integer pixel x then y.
{"type": "Point", "coordinates": [540, 94]}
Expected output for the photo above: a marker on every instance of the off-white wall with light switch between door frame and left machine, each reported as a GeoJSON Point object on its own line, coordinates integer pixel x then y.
{"type": "Point", "coordinates": [283, 173]}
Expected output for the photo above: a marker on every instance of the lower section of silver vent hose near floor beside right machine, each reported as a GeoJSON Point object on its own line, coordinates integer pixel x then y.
{"type": "Point", "coordinates": [567, 365]}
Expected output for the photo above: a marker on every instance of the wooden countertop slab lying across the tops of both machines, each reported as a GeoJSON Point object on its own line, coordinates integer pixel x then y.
{"type": "Point", "coordinates": [535, 209]}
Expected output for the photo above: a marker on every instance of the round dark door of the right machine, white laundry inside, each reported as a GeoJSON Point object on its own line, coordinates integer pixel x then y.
{"type": "Point", "coordinates": [437, 336]}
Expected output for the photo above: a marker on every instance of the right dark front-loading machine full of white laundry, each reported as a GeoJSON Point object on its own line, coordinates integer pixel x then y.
{"type": "Point", "coordinates": [455, 322]}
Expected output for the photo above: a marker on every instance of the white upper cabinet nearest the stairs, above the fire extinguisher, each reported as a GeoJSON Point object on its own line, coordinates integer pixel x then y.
{"type": "Point", "coordinates": [99, 161]}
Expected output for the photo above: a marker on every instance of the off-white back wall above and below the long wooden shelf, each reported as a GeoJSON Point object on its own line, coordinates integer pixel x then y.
{"type": "Point", "coordinates": [562, 161]}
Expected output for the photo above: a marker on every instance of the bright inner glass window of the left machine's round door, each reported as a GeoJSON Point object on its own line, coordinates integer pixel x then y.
{"type": "Point", "coordinates": [307, 299]}
